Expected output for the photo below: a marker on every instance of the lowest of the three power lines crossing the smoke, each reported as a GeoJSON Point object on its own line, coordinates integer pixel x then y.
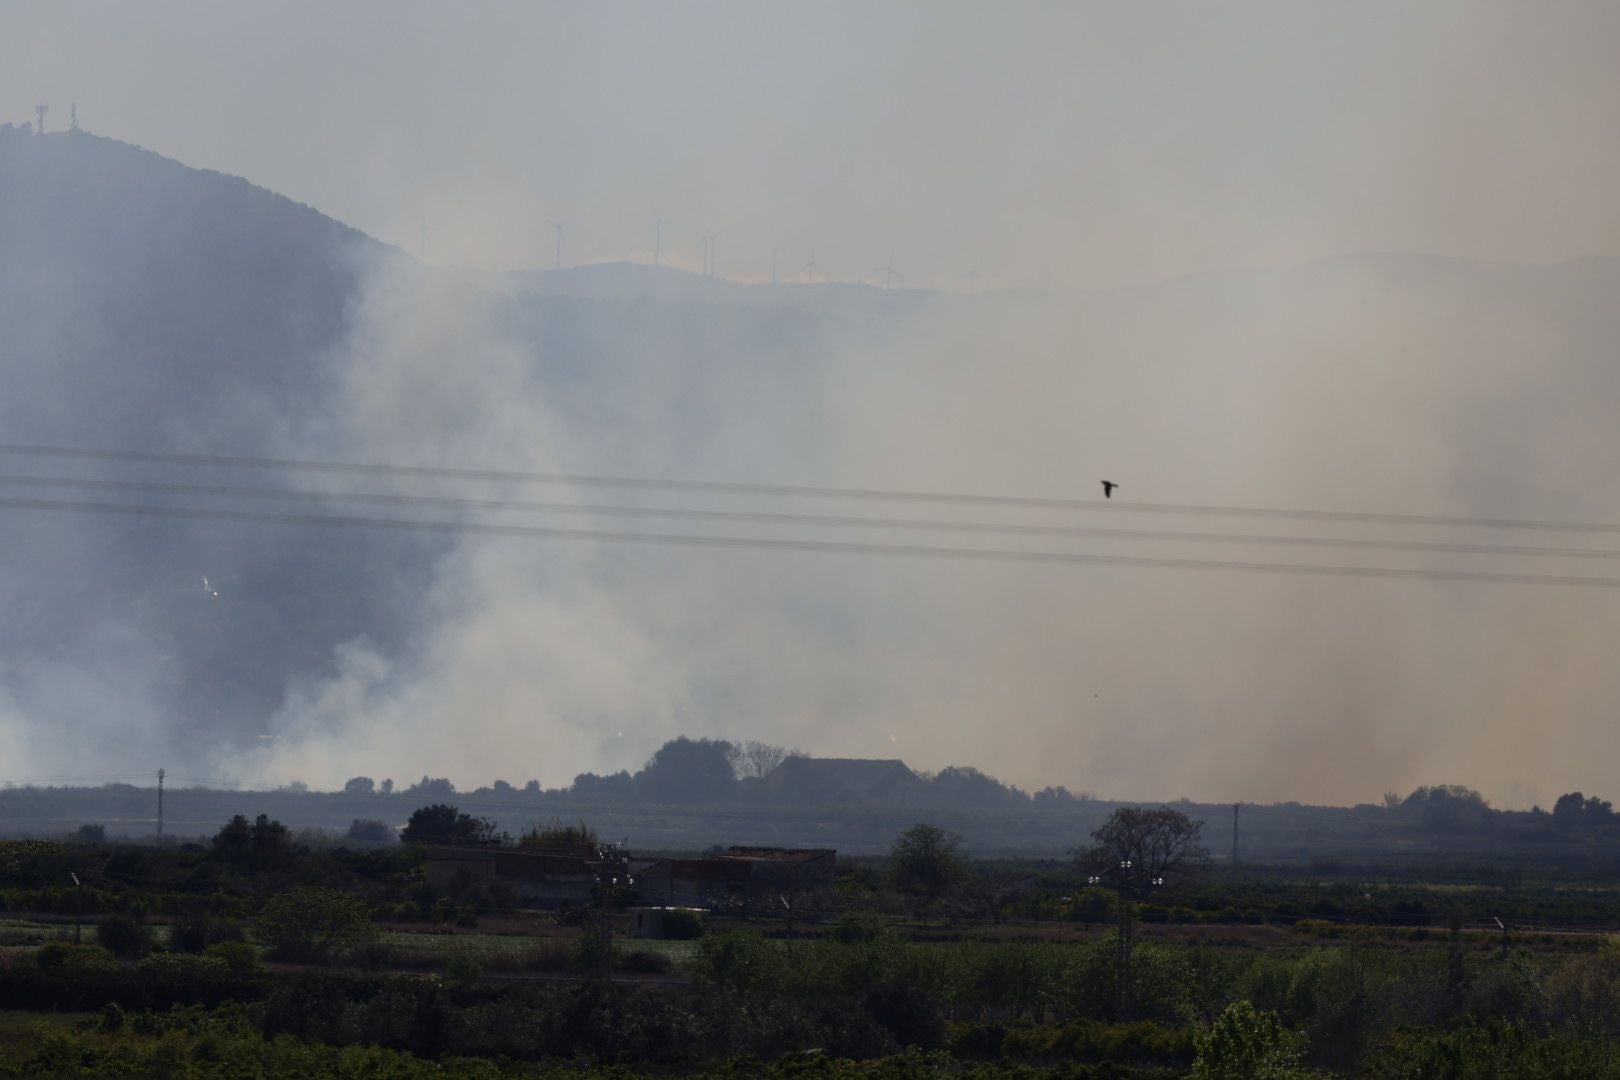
{"type": "Point", "coordinates": [918, 551]}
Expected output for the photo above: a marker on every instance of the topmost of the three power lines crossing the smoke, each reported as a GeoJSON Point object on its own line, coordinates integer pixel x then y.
{"type": "Point", "coordinates": [744, 488]}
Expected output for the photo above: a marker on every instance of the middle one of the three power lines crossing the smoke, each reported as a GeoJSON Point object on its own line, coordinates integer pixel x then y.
{"type": "Point", "coordinates": [759, 517]}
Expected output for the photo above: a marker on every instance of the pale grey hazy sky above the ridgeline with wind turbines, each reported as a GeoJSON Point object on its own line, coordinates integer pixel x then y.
{"type": "Point", "coordinates": [1052, 145]}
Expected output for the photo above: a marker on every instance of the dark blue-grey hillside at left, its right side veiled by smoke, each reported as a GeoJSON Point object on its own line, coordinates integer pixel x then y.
{"type": "Point", "coordinates": [148, 305]}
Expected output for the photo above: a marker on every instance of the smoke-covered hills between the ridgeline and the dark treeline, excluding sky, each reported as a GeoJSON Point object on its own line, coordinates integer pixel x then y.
{"type": "Point", "coordinates": [153, 307]}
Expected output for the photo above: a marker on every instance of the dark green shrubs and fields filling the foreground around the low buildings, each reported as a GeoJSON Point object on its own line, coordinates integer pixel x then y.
{"type": "Point", "coordinates": [258, 955]}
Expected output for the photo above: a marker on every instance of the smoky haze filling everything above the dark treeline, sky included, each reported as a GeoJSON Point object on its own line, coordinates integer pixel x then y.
{"type": "Point", "coordinates": [1326, 260]}
